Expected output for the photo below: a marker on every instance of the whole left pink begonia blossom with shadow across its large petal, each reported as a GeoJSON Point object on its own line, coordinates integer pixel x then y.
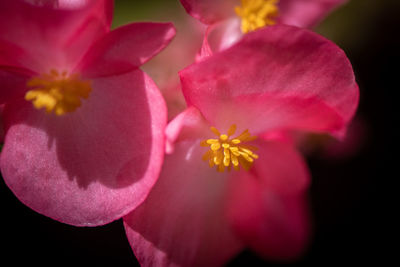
{"type": "Point", "coordinates": [84, 126]}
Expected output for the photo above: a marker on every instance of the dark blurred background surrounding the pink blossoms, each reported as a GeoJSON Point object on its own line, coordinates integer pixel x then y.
{"type": "Point", "coordinates": [351, 200]}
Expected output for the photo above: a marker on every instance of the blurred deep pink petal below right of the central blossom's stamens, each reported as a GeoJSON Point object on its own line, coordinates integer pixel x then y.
{"type": "Point", "coordinates": [267, 205]}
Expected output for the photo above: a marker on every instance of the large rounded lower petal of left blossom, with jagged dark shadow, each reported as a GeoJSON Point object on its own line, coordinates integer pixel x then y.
{"type": "Point", "coordinates": [91, 166]}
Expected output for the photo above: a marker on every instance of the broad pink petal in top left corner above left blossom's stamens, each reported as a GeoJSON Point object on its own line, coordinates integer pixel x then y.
{"type": "Point", "coordinates": [46, 31]}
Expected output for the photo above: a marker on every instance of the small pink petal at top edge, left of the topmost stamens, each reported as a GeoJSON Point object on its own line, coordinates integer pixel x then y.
{"type": "Point", "coordinates": [210, 11]}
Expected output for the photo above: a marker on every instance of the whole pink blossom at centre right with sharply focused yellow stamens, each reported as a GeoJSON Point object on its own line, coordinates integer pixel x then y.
{"type": "Point", "coordinates": [201, 212]}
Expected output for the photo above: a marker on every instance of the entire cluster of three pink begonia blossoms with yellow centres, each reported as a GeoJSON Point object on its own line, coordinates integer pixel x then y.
{"type": "Point", "coordinates": [87, 140]}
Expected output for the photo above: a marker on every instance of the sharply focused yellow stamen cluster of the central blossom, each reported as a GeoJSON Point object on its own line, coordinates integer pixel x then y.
{"type": "Point", "coordinates": [225, 152]}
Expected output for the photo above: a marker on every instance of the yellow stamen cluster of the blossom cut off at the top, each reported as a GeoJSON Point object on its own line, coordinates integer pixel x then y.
{"type": "Point", "coordinates": [256, 14]}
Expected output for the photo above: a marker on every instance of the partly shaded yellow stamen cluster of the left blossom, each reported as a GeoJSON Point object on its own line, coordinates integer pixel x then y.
{"type": "Point", "coordinates": [57, 92]}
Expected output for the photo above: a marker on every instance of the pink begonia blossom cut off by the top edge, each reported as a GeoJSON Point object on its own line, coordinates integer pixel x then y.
{"type": "Point", "coordinates": [230, 19]}
